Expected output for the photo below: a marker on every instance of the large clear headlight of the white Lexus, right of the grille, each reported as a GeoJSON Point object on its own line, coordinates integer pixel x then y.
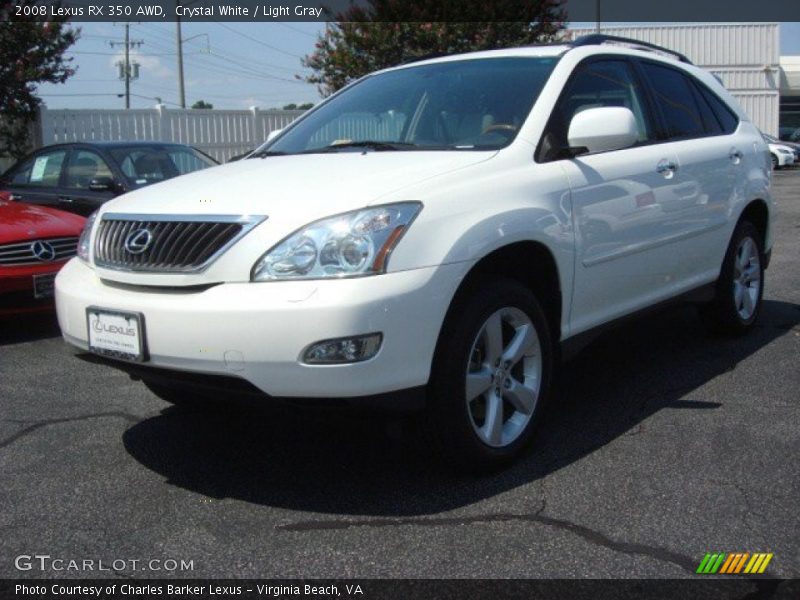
{"type": "Point", "coordinates": [349, 245]}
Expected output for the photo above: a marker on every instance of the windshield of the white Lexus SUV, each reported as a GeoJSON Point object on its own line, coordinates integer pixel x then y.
{"type": "Point", "coordinates": [476, 104]}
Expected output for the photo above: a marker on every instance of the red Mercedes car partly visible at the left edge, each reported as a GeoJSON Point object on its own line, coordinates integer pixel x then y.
{"type": "Point", "coordinates": [35, 242]}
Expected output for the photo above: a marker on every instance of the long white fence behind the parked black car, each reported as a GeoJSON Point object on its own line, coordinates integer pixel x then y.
{"type": "Point", "coordinates": [219, 133]}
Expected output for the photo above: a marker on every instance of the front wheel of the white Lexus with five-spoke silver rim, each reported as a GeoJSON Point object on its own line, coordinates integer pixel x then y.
{"type": "Point", "coordinates": [491, 376]}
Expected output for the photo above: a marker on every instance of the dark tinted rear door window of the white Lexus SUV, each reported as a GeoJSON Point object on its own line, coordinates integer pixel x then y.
{"type": "Point", "coordinates": [675, 101]}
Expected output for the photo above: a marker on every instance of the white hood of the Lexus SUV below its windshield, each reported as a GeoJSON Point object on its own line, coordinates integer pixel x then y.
{"type": "Point", "coordinates": [304, 186]}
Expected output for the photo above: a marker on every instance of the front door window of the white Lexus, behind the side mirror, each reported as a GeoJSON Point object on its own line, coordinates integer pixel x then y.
{"type": "Point", "coordinates": [597, 84]}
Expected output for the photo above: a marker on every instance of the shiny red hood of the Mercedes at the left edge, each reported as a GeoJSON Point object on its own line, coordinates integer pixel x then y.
{"type": "Point", "coordinates": [20, 221]}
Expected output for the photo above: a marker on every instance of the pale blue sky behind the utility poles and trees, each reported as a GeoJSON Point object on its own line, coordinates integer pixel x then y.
{"type": "Point", "coordinates": [231, 65]}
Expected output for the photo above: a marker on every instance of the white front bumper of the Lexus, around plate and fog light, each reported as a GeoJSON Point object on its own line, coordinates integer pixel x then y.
{"type": "Point", "coordinates": [258, 331]}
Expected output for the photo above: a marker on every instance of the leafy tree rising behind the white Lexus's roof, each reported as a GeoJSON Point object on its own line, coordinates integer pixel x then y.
{"type": "Point", "coordinates": [382, 33]}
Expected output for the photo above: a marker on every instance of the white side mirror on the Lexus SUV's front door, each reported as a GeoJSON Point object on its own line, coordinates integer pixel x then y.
{"type": "Point", "coordinates": [602, 129]}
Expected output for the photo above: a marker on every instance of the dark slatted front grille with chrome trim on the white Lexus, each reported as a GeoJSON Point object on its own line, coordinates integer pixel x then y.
{"type": "Point", "coordinates": [181, 243]}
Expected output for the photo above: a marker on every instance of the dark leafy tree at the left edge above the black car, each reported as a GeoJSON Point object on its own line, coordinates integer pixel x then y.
{"type": "Point", "coordinates": [31, 53]}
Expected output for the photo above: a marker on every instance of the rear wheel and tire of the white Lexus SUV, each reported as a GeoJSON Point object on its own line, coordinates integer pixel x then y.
{"type": "Point", "coordinates": [740, 286]}
